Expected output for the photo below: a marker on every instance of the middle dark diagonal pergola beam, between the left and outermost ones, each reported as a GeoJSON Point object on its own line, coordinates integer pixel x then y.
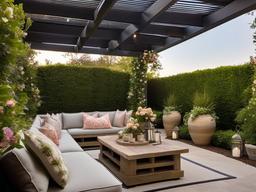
{"type": "Point", "coordinates": [146, 18]}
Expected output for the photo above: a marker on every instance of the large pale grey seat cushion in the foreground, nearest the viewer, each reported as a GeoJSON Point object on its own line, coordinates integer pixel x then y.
{"type": "Point", "coordinates": [86, 174]}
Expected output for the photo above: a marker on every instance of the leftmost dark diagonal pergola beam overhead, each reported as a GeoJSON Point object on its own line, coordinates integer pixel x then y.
{"type": "Point", "coordinates": [103, 8]}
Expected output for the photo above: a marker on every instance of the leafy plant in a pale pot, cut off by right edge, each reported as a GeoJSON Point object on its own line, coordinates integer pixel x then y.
{"type": "Point", "coordinates": [247, 118]}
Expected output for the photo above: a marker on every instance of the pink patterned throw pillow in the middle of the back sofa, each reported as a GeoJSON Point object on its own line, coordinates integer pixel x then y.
{"type": "Point", "coordinates": [91, 122]}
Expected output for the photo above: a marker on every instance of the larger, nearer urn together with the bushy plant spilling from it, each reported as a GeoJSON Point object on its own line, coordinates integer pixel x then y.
{"type": "Point", "coordinates": [201, 120]}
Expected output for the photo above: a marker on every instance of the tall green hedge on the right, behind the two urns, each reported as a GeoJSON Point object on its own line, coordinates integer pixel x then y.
{"type": "Point", "coordinates": [226, 85]}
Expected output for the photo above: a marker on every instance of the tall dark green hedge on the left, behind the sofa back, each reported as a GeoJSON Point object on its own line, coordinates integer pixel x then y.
{"type": "Point", "coordinates": [73, 88]}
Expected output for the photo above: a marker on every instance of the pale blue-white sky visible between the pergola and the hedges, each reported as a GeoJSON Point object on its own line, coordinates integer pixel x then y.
{"type": "Point", "coordinates": [228, 44]}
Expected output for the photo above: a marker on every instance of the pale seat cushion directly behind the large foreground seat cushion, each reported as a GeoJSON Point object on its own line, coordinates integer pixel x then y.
{"type": "Point", "coordinates": [68, 144]}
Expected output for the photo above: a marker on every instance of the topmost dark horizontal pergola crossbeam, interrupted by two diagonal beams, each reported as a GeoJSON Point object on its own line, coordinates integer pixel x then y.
{"type": "Point", "coordinates": [46, 8]}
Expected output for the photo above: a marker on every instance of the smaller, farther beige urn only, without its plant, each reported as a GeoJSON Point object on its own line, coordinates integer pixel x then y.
{"type": "Point", "coordinates": [170, 121]}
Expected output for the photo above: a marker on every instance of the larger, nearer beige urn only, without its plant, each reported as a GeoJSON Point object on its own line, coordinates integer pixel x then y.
{"type": "Point", "coordinates": [201, 129]}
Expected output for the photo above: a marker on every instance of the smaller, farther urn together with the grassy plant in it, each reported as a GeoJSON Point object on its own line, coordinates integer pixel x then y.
{"type": "Point", "coordinates": [171, 115]}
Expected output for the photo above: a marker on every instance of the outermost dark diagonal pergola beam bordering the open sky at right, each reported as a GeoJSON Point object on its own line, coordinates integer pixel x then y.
{"type": "Point", "coordinates": [229, 12]}
